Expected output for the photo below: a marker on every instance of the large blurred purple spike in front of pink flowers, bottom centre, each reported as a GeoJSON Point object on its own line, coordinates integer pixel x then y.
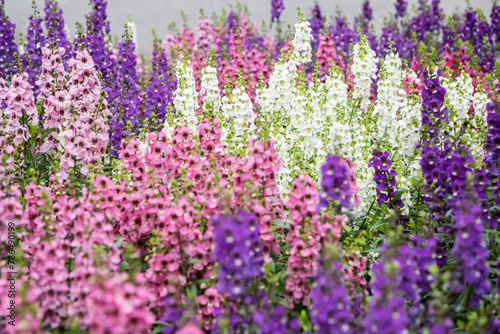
{"type": "Point", "coordinates": [237, 250]}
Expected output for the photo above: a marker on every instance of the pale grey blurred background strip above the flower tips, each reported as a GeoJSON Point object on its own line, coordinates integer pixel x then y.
{"type": "Point", "coordinates": [158, 14]}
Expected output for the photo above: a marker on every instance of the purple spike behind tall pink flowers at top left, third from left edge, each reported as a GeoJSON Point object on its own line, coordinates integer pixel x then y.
{"type": "Point", "coordinates": [54, 23]}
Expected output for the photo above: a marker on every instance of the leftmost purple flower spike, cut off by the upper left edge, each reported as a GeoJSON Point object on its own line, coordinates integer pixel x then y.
{"type": "Point", "coordinates": [7, 45]}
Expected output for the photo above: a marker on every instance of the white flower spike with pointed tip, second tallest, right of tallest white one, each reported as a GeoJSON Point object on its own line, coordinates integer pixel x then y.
{"type": "Point", "coordinates": [364, 69]}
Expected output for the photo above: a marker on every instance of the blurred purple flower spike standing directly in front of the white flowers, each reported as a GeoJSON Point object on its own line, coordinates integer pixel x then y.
{"type": "Point", "coordinates": [335, 183]}
